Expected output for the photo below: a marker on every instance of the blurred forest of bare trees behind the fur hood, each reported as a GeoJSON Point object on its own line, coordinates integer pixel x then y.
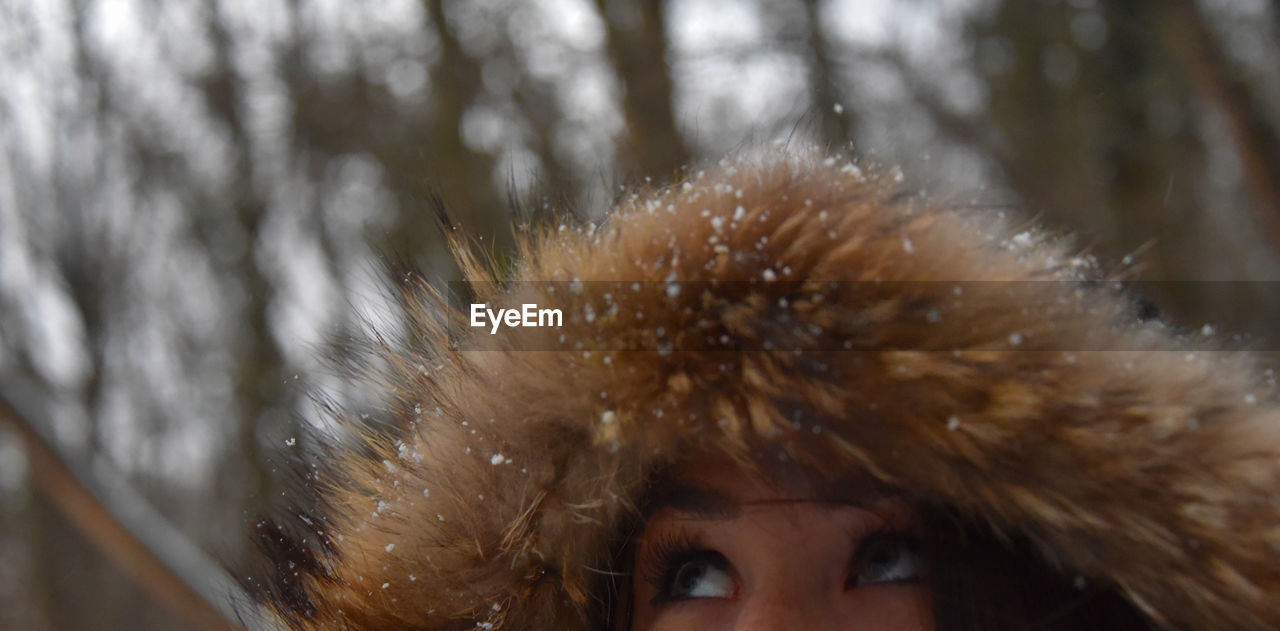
{"type": "Point", "coordinates": [195, 194]}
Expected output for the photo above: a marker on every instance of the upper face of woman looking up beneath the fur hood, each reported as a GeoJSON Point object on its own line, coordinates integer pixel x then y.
{"type": "Point", "coordinates": [725, 552]}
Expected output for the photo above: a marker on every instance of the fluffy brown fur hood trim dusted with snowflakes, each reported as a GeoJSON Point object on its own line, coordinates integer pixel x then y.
{"type": "Point", "coordinates": [793, 308]}
